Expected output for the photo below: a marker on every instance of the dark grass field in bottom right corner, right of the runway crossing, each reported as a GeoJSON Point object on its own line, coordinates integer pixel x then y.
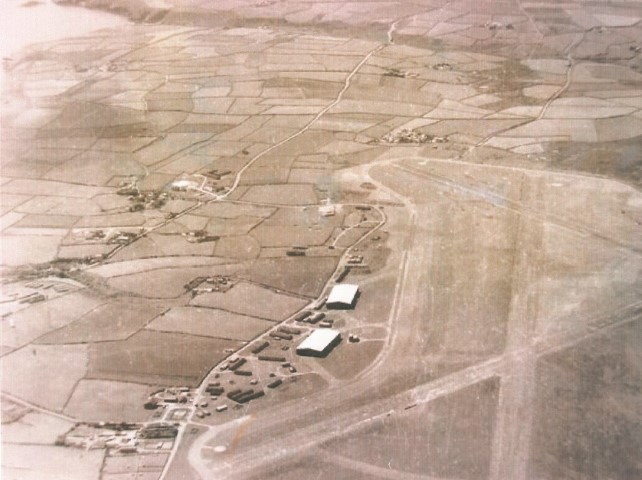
{"type": "Point", "coordinates": [585, 412]}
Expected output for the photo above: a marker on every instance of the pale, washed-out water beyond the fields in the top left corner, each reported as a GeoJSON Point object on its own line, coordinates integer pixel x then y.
{"type": "Point", "coordinates": [46, 21]}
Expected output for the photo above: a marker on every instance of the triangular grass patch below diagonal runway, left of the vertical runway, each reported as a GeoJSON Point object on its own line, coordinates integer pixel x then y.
{"type": "Point", "coordinates": [454, 432]}
